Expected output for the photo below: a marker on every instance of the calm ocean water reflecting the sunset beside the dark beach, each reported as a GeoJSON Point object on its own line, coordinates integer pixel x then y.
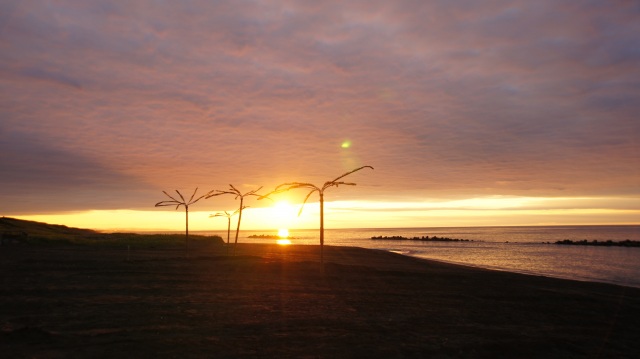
{"type": "Point", "coordinates": [529, 250]}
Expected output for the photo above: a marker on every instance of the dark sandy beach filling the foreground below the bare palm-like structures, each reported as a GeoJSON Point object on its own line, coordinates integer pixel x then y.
{"type": "Point", "coordinates": [278, 301]}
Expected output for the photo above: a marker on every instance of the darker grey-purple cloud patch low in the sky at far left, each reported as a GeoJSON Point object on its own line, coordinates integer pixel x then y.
{"type": "Point", "coordinates": [38, 175]}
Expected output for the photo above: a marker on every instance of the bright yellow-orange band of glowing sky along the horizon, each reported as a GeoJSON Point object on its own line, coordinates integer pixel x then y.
{"type": "Point", "coordinates": [362, 214]}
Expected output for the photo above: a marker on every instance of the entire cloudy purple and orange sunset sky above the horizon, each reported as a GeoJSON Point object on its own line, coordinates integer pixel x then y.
{"type": "Point", "coordinates": [472, 113]}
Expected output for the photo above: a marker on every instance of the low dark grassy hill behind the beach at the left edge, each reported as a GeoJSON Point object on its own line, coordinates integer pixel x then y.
{"type": "Point", "coordinates": [38, 233]}
